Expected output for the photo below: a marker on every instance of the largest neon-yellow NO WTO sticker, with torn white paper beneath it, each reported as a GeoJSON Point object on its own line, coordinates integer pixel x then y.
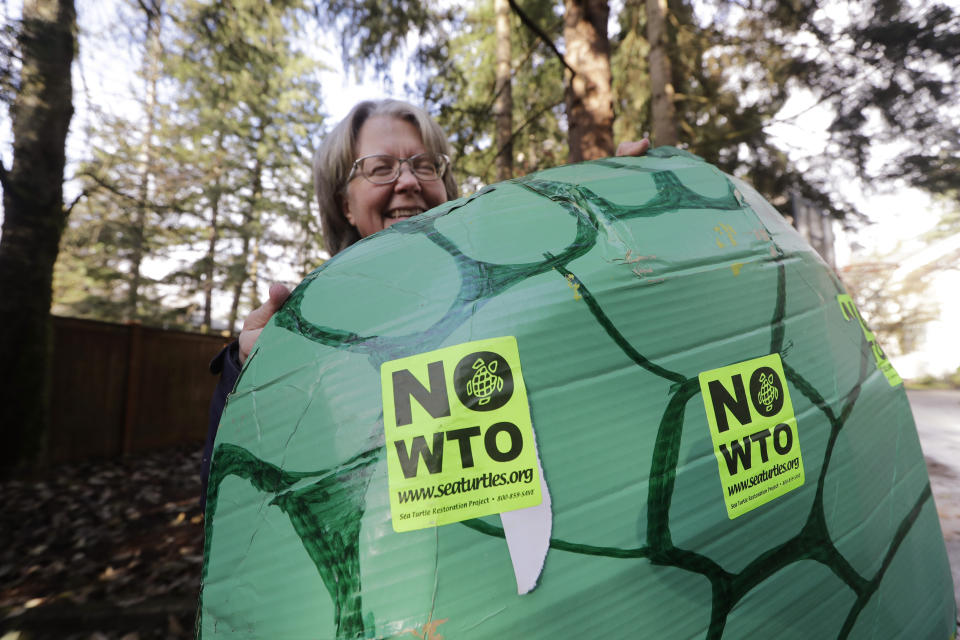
{"type": "Point", "coordinates": [458, 434]}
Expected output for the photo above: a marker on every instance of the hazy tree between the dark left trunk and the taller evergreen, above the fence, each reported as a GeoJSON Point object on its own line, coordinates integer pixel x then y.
{"type": "Point", "coordinates": [118, 228]}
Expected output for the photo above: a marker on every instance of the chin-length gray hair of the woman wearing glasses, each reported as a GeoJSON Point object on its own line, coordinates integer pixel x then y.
{"type": "Point", "coordinates": [334, 158]}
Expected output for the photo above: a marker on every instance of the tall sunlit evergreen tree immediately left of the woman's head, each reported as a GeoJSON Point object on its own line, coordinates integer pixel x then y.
{"type": "Point", "coordinates": [250, 106]}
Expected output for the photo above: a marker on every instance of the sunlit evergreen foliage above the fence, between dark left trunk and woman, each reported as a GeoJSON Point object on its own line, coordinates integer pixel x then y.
{"type": "Point", "coordinates": [209, 191]}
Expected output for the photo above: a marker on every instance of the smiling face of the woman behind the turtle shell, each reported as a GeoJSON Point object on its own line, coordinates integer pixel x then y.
{"type": "Point", "coordinates": [373, 207]}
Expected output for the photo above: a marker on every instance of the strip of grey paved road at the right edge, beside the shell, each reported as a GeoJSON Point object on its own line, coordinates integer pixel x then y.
{"type": "Point", "coordinates": [937, 414]}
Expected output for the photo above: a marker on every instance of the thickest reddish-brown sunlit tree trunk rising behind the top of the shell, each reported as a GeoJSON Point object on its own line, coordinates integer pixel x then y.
{"type": "Point", "coordinates": [589, 91]}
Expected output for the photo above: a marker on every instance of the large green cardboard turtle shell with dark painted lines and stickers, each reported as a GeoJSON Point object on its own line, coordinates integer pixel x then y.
{"type": "Point", "coordinates": [722, 448]}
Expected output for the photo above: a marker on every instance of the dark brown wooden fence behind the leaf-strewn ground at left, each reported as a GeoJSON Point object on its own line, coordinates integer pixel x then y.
{"type": "Point", "coordinates": [125, 388]}
